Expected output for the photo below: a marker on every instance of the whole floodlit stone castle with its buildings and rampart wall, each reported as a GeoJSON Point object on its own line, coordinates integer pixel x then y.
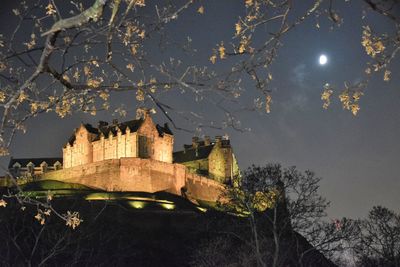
{"type": "Point", "coordinates": [137, 155]}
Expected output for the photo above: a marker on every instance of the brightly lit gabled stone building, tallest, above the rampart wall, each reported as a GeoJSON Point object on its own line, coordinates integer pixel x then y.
{"type": "Point", "coordinates": [139, 138]}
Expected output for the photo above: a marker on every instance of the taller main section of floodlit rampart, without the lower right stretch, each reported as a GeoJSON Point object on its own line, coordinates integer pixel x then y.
{"type": "Point", "coordinates": [125, 174]}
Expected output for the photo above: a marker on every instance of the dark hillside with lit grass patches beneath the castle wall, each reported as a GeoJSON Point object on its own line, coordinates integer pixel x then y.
{"type": "Point", "coordinates": [131, 229]}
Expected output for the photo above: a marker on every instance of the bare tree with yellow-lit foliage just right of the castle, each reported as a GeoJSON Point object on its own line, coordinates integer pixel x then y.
{"type": "Point", "coordinates": [281, 203]}
